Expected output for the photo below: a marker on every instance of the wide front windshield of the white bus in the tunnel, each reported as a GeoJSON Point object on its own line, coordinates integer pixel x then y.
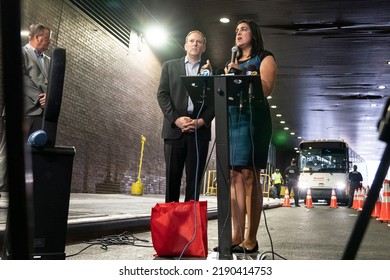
{"type": "Point", "coordinates": [323, 160]}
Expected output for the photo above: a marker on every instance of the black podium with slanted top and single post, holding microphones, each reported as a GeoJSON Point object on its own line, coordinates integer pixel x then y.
{"type": "Point", "coordinates": [221, 92]}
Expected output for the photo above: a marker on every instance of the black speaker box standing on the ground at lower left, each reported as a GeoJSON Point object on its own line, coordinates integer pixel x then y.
{"type": "Point", "coordinates": [52, 175]}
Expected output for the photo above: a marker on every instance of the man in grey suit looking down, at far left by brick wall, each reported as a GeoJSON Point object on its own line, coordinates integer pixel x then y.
{"type": "Point", "coordinates": [35, 69]}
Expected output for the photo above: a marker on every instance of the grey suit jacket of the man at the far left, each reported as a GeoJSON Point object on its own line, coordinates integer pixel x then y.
{"type": "Point", "coordinates": [35, 80]}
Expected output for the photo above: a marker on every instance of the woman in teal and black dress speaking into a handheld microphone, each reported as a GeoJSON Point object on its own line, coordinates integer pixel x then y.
{"type": "Point", "coordinates": [250, 132]}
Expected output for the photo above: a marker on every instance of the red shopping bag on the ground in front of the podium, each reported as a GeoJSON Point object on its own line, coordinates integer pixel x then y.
{"type": "Point", "coordinates": [180, 228]}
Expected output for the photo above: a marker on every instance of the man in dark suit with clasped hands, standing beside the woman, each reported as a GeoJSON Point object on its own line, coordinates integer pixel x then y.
{"type": "Point", "coordinates": [186, 131]}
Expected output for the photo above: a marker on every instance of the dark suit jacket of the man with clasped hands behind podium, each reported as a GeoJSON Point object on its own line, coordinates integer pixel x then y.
{"type": "Point", "coordinates": [173, 98]}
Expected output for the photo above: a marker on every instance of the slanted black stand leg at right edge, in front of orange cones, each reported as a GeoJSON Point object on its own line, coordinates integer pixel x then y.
{"type": "Point", "coordinates": [364, 217]}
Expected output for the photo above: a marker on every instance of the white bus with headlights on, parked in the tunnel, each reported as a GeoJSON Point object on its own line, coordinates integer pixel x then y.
{"type": "Point", "coordinates": [324, 165]}
